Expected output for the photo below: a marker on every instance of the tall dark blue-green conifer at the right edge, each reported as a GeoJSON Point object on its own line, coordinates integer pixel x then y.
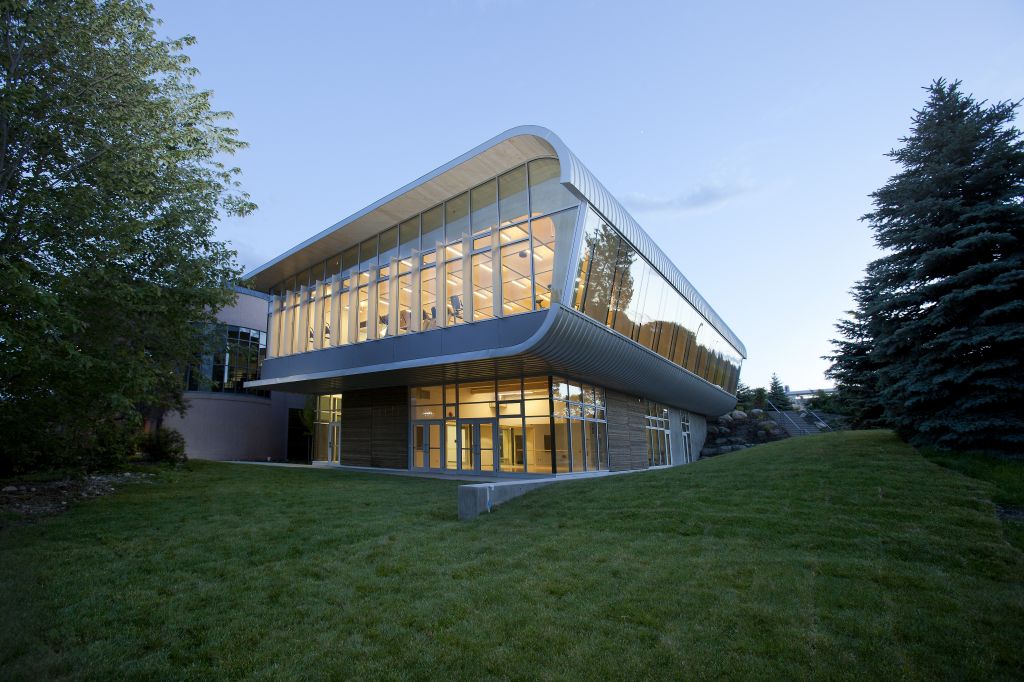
{"type": "Point", "coordinates": [943, 314]}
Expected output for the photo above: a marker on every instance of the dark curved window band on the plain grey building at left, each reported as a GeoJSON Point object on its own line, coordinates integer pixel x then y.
{"type": "Point", "coordinates": [238, 359]}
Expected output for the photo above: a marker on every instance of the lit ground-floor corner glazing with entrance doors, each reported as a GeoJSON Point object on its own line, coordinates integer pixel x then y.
{"type": "Point", "coordinates": [539, 425]}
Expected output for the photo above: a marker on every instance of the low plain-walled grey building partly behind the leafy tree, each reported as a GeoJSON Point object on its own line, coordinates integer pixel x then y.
{"type": "Point", "coordinates": [226, 420]}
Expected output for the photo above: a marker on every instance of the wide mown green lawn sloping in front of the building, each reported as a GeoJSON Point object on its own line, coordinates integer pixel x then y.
{"type": "Point", "coordinates": [846, 556]}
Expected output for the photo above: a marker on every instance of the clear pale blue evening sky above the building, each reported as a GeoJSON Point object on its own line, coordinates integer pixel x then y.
{"type": "Point", "coordinates": [744, 137]}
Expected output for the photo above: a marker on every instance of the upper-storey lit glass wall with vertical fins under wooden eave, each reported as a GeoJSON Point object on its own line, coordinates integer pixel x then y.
{"type": "Point", "coordinates": [485, 253]}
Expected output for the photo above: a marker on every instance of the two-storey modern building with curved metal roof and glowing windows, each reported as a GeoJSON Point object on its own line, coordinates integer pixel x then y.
{"type": "Point", "coordinates": [502, 315]}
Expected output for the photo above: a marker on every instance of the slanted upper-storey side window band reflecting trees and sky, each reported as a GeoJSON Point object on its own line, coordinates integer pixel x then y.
{"type": "Point", "coordinates": [618, 288]}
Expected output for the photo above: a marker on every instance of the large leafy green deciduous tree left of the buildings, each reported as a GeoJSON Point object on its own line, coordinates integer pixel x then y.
{"type": "Point", "coordinates": [112, 180]}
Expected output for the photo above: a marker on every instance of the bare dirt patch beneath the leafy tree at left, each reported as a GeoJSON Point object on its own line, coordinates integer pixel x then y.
{"type": "Point", "coordinates": [29, 501]}
